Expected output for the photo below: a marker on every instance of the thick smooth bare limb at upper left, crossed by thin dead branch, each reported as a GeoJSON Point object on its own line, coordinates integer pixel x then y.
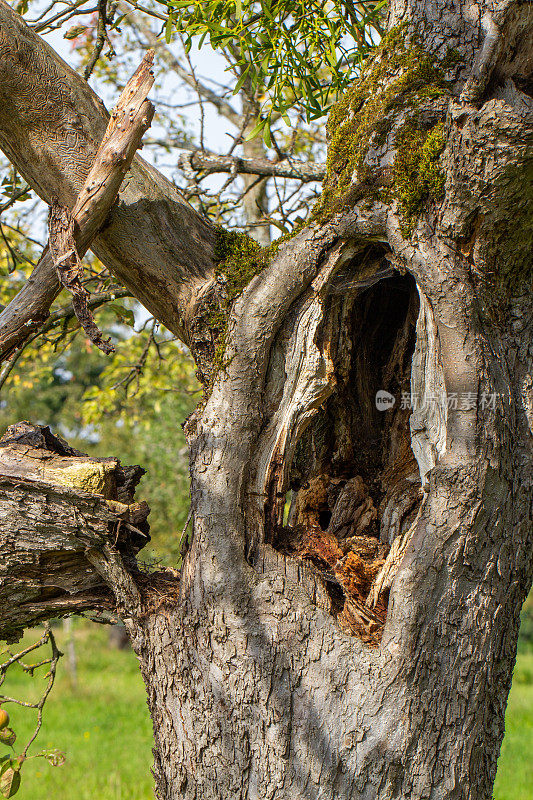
{"type": "Point", "coordinates": [51, 124]}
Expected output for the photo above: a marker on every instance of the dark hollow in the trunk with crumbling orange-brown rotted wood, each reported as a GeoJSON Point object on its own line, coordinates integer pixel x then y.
{"type": "Point", "coordinates": [354, 480]}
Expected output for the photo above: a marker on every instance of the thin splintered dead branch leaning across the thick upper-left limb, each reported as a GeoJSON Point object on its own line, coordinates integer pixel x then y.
{"type": "Point", "coordinates": [72, 233]}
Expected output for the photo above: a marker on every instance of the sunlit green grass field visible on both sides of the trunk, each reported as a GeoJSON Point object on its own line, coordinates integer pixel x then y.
{"type": "Point", "coordinates": [104, 730]}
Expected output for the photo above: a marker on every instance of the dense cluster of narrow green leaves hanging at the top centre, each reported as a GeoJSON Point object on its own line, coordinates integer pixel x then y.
{"type": "Point", "coordinates": [295, 50]}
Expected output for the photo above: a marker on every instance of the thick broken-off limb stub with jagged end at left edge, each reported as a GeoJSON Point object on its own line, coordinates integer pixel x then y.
{"type": "Point", "coordinates": [63, 511]}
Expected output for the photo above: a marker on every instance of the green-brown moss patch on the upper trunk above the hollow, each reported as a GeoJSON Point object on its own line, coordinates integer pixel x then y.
{"type": "Point", "coordinates": [400, 76]}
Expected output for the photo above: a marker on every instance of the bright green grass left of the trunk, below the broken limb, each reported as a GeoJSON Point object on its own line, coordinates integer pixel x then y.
{"type": "Point", "coordinates": [102, 726]}
